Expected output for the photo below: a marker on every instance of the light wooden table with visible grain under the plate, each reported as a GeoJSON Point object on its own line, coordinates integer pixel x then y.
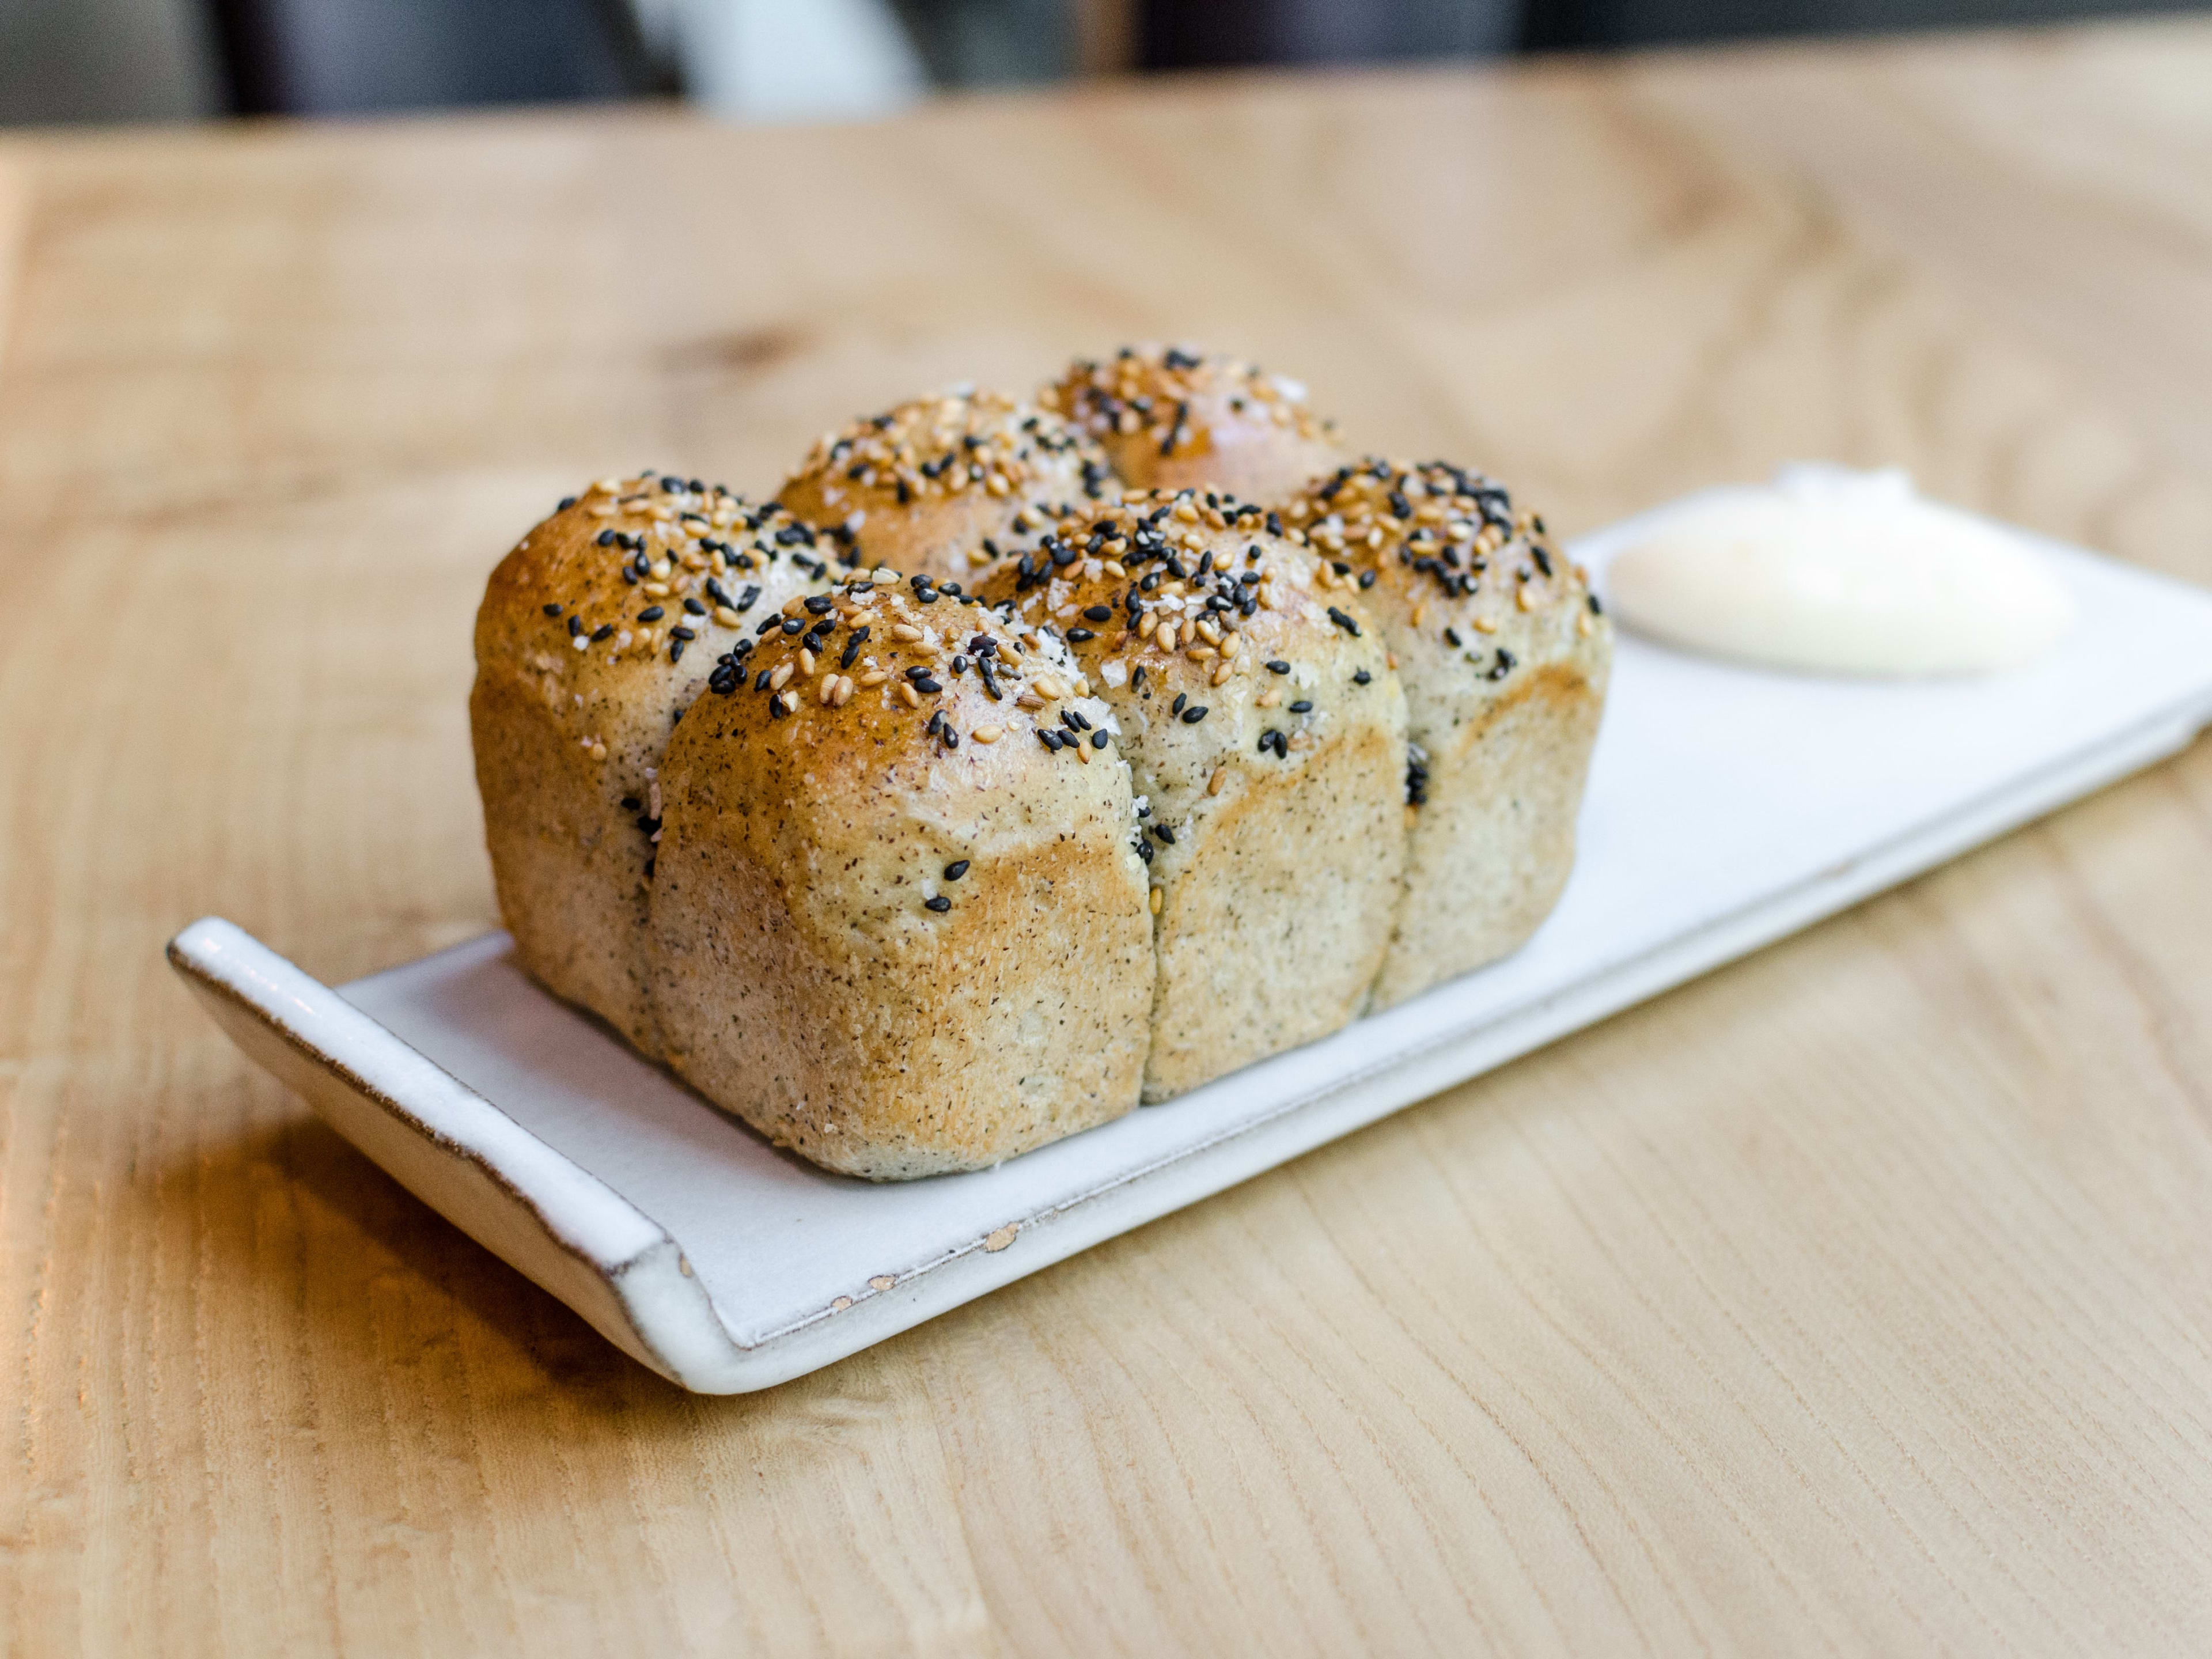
{"type": "Point", "coordinates": [1855, 1300]}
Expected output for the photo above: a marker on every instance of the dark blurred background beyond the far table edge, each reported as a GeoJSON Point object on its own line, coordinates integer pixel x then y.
{"type": "Point", "coordinates": [778, 61]}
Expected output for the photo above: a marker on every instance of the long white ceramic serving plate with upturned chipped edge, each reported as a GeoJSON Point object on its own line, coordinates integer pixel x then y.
{"type": "Point", "coordinates": [1726, 808]}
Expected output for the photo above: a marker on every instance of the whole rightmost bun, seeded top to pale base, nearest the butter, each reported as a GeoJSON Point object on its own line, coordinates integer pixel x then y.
{"type": "Point", "coordinates": [1505, 660]}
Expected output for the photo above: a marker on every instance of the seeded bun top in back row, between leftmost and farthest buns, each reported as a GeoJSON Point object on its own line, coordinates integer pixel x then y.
{"type": "Point", "coordinates": [948, 486]}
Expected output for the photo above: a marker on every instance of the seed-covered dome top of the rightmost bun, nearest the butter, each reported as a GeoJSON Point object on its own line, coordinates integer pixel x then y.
{"type": "Point", "coordinates": [1450, 559]}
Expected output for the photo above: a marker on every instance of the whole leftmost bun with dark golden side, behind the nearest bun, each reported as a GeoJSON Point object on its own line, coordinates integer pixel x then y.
{"type": "Point", "coordinates": [596, 634]}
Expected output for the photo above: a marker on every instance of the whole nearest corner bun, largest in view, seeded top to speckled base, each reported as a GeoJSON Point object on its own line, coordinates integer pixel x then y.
{"type": "Point", "coordinates": [899, 921]}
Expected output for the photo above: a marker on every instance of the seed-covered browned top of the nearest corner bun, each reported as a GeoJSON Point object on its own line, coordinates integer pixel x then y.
{"type": "Point", "coordinates": [884, 671]}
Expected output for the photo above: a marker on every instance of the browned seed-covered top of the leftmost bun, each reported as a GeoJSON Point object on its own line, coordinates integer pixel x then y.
{"type": "Point", "coordinates": [638, 572]}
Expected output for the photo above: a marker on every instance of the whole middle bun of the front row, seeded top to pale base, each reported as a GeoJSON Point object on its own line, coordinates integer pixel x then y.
{"type": "Point", "coordinates": [1266, 740]}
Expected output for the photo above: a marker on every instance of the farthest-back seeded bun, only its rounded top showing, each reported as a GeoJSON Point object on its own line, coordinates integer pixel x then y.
{"type": "Point", "coordinates": [1173, 419]}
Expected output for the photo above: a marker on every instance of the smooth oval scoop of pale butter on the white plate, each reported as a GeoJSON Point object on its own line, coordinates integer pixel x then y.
{"type": "Point", "coordinates": [1844, 574]}
